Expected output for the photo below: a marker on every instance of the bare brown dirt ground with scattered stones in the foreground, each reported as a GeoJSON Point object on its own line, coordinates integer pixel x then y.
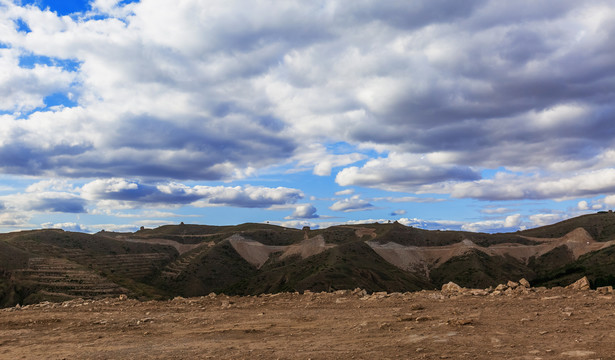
{"type": "Point", "coordinates": [522, 324]}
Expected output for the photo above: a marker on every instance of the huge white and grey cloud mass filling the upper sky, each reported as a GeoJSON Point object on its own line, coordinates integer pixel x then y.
{"type": "Point", "coordinates": [231, 96]}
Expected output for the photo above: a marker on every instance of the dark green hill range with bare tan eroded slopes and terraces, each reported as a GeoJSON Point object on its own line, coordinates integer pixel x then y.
{"type": "Point", "coordinates": [249, 259]}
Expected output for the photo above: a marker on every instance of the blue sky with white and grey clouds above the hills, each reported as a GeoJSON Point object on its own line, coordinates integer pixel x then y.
{"type": "Point", "coordinates": [479, 115]}
